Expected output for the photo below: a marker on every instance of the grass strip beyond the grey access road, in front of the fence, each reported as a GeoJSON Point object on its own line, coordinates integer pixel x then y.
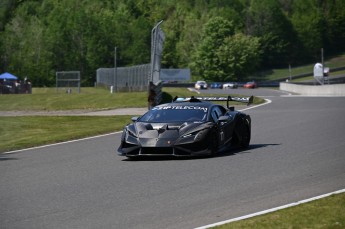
{"type": "Point", "coordinates": [46, 99]}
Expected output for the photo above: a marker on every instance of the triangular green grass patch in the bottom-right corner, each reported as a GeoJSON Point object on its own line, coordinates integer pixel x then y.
{"type": "Point", "coordinates": [328, 212]}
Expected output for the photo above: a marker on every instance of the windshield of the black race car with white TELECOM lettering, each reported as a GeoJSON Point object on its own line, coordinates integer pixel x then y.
{"type": "Point", "coordinates": [175, 113]}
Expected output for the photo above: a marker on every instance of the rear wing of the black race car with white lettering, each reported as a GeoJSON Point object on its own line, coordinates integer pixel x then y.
{"type": "Point", "coordinates": [248, 100]}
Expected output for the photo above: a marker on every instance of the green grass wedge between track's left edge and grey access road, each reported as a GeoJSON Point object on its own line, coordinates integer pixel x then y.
{"type": "Point", "coordinates": [28, 131]}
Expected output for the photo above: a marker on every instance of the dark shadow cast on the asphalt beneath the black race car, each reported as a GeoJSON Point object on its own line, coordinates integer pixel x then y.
{"type": "Point", "coordinates": [232, 151]}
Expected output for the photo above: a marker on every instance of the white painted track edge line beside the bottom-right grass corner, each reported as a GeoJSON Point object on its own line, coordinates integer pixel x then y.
{"type": "Point", "coordinates": [271, 210]}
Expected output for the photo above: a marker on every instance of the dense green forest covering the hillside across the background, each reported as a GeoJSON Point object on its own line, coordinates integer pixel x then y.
{"type": "Point", "coordinates": [220, 40]}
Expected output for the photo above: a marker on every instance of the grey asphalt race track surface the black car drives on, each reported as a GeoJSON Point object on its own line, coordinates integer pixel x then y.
{"type": "Point", "coordinates": [297, 152]}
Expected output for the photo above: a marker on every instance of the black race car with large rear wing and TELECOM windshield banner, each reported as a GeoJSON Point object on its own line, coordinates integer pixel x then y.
{"type": "Point", "coordinates": [187, 127]}
